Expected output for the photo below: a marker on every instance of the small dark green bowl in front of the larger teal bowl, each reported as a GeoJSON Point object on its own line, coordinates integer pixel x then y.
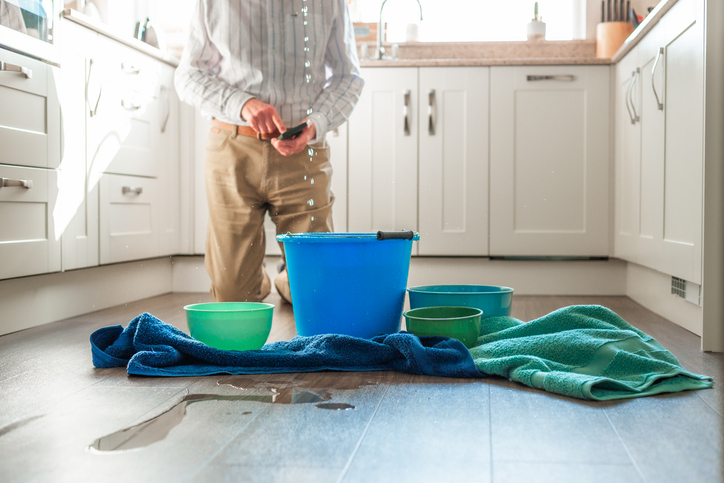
{"type": "Point", "coordinates": [461, 323]}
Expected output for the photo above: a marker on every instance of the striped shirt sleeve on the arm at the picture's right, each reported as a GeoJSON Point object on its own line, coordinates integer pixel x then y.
{"type": "Point", "coordinates": [344, 86]}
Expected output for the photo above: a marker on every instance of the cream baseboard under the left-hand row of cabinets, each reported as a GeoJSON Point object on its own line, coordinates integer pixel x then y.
{"type": "Point", "coordinates": [32, 301]}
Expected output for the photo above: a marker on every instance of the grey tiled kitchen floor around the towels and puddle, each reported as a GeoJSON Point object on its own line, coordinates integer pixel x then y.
{"type": "Point", "coordinates": [54, 405]}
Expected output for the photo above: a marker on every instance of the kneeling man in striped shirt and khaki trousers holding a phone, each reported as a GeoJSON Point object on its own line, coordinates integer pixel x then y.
{"type": "Point", "coordinates": [257, 68]}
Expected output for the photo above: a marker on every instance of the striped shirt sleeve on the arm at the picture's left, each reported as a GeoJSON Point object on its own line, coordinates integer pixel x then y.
{"type": "Point", "coordinates": [196, 78]}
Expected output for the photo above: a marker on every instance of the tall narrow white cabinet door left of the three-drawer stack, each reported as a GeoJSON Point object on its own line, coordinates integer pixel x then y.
{"type": "Point", "coordinates": [77, 215]}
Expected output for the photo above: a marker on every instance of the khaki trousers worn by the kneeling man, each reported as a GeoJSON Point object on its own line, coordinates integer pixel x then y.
{"type": "Point", "coordinates": [245, 178]}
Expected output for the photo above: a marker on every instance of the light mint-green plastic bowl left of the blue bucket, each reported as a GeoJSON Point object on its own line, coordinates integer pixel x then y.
{"type": "Point", "coordinates": [239, 326]}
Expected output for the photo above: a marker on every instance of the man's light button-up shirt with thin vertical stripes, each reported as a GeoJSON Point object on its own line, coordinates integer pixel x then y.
{"type": "Point", "coordinates": [297, 55]}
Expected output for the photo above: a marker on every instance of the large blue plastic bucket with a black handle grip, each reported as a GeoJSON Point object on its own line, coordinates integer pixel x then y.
{"type": "Point", "coordinates": [348, 283]}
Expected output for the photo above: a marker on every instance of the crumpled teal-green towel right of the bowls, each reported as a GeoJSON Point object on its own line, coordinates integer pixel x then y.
{"type": "Point", "coordinates": [583, 351]}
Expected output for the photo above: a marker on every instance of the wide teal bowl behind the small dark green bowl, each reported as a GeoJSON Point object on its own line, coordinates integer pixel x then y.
{"type": "Point", "coordinates": [493, 300]}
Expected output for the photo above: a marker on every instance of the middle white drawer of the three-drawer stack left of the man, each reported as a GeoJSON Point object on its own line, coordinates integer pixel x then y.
{"type": "Point", "coordinates": [122, 135]}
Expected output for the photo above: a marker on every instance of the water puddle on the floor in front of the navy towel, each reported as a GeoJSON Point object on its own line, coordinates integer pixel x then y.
{"type": "Point", "coordinates": [157, 428]}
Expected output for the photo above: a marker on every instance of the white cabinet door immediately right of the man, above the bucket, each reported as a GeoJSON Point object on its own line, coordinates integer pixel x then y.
{"type": "Point", "coordinates": [383, 135]}
